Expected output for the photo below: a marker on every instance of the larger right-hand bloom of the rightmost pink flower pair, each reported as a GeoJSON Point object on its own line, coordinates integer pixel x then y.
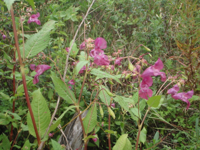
{"type": "Point", "coordinates": [184, 97]}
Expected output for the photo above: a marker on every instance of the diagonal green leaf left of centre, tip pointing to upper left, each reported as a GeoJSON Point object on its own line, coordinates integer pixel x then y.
{"type": "Point", "coordinates": [62, 89]}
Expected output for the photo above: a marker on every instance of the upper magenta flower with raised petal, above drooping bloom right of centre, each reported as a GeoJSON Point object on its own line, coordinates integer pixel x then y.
{"type": "Point", "coordinates": [154, 70]}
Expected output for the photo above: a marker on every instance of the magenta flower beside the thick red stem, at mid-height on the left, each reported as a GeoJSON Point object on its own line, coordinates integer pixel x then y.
{"type": "Point", "coordinates": [40, 69]}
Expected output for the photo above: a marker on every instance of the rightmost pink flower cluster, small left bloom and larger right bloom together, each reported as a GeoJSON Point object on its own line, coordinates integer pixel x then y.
{"type": "Point", "coordinates": [182, 96]}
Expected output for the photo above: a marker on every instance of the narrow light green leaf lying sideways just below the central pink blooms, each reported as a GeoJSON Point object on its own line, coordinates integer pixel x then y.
{"type": "Point", "coordinates": [101, 74]}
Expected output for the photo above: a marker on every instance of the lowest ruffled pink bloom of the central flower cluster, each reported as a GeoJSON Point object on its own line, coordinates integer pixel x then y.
{"type": "Point", "coordinates": [101, 59]}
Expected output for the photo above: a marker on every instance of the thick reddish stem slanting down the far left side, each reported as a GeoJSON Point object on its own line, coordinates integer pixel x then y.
{"type": "Point", "coordinates": [23, 76]}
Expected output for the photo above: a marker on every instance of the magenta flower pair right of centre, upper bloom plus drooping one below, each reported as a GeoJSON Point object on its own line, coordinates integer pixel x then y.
{"type": "Point", "coordinates": [147, 80]}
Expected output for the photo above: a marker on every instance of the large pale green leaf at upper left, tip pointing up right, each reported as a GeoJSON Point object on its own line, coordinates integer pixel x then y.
{"type": "Point", "coordinates": [38, 42]}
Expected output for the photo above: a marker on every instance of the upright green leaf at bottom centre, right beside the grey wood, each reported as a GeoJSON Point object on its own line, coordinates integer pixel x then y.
{"type": "Point", "coordinates": [90, 121]}
